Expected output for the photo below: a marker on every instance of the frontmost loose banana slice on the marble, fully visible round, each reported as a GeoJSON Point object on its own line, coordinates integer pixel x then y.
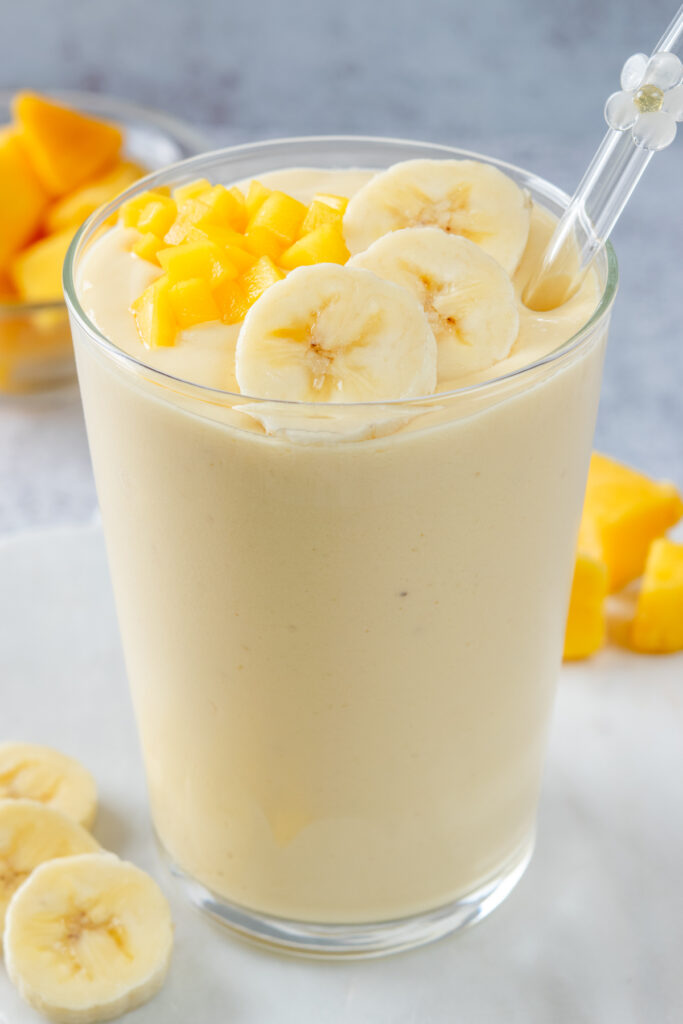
{"type": "Point", "coordinates": [89, 938]}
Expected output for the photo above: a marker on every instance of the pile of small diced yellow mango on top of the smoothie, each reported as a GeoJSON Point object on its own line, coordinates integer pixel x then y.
{"type": "Point", "coordinates": [226, 248]}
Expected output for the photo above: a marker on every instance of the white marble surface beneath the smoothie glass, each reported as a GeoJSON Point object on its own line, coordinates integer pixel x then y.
{"type": "Point", "coordinates": [592, 935]}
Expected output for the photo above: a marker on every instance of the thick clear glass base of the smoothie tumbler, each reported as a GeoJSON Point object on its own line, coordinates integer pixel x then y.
{"type": "Point", "coordinates": [357, 942]}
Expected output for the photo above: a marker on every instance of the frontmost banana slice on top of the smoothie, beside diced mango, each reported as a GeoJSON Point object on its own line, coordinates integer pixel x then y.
{"type": "Point", "coordinates": [330, 334]}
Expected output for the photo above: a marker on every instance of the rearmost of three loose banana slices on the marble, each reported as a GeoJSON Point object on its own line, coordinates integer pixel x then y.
{"type": "Point", "coordinates": [53, 779]}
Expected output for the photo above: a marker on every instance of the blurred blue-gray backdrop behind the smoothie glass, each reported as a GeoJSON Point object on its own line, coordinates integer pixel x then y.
{"type": "Point", "coordinates": [525, 80]}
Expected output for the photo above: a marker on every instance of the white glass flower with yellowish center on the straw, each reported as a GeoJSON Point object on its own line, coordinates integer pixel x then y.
{"type": "Point", "coordinates": [651, 102]}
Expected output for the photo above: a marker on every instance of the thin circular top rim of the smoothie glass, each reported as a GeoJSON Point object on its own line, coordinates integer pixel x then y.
{"type": "Point", "coordinates": [132, 363]}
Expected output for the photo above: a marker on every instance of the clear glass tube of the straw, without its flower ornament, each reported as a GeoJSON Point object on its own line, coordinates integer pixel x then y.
{"type": "Point", "coordinates": [603, 194]}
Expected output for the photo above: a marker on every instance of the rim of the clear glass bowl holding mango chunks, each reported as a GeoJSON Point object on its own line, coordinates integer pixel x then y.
{"type": "Point", "coordinates": [113, 108]}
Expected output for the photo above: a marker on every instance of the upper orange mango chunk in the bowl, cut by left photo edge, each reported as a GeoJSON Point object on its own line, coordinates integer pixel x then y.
{"type": "Point", "coordinates": [23, 199]}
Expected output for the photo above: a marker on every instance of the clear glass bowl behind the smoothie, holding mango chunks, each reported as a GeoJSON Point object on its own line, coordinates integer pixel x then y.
{"type": "Point", "coordinates": [35, 340]}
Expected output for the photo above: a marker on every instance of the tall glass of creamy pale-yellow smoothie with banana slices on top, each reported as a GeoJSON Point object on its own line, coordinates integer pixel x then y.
{"type": "Point", "coordinates": [343, 610]}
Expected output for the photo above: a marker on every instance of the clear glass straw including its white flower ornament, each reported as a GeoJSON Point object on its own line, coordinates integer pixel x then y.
{"type": "Point", "coordinates": [643, 119]}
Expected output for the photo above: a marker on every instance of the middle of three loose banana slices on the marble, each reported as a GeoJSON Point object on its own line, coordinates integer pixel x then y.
{"type": "Point", "coordinates": [31, 834]}
